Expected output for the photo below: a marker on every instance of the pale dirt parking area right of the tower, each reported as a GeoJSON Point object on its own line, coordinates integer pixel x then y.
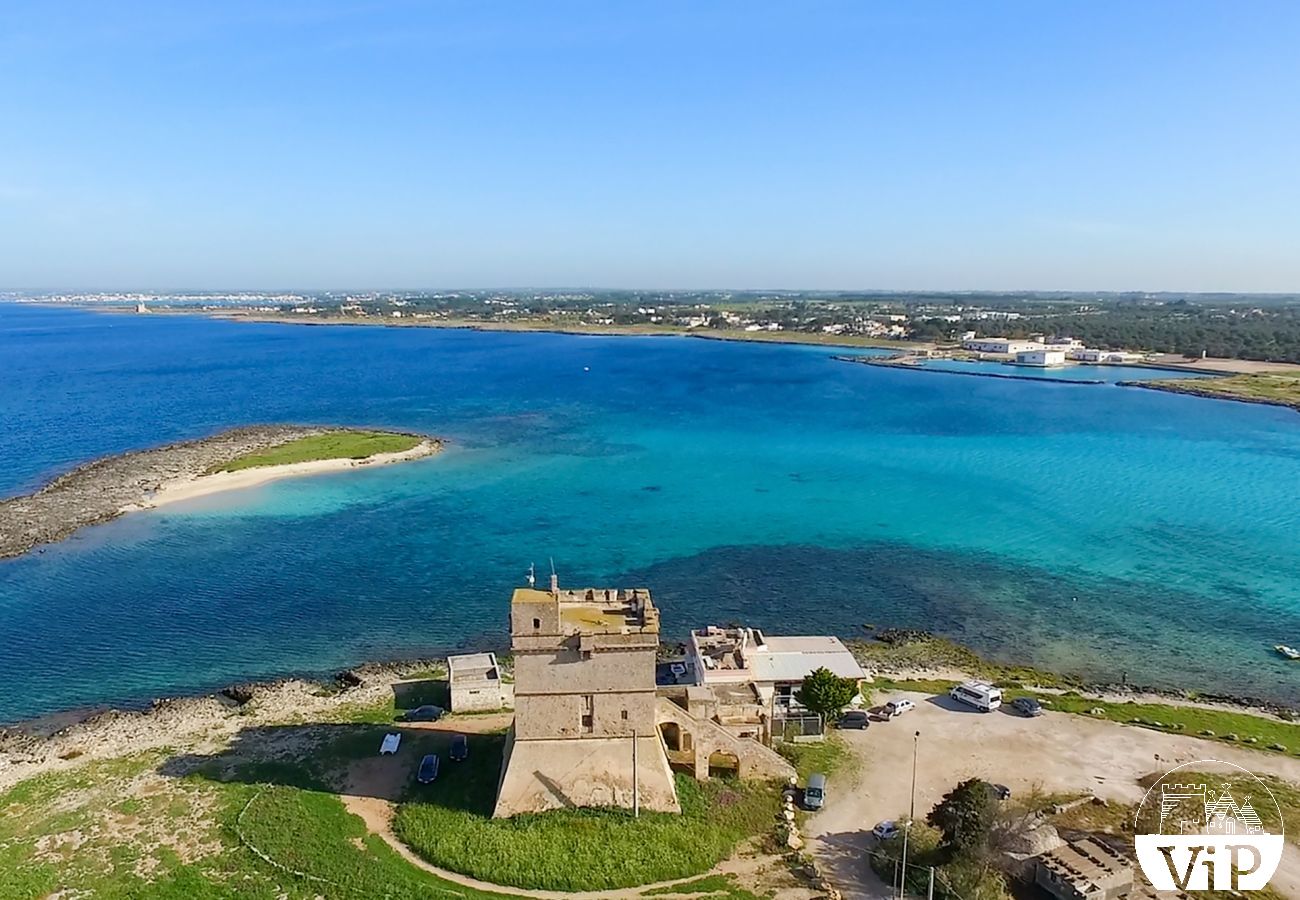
{"type": "Point", "coordinates": [1056, 752]}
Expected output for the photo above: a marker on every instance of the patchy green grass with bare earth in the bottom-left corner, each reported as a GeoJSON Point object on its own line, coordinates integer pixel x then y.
{"type": "Point", "coordinates": [122, 830]}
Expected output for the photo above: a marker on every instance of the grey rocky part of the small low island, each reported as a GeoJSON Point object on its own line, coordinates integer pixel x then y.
{"type": "Point", "coordinates": [103, 490]}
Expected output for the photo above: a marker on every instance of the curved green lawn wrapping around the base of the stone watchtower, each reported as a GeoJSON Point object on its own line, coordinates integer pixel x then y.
{"type": "Point", "coordinates": [450, 825]}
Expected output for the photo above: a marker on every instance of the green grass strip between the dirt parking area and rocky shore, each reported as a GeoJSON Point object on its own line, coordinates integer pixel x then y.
{"type": "Point", "coordinates": [1258, 733]}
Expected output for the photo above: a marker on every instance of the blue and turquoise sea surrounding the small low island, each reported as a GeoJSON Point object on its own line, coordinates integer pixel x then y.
{"type": "Point", "coordinates": [1093, 529]}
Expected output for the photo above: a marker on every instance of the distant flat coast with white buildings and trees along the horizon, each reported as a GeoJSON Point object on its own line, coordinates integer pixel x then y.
{"type": "Point", "coordinates": [1256, 327]}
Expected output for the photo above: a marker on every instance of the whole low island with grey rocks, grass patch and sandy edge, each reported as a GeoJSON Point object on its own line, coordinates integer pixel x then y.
{"type": "Point", "coordinates": [107, 488]}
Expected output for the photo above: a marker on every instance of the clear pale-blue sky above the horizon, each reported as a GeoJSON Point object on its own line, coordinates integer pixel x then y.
{"type": "Point", "coordinates": [1151, 146]}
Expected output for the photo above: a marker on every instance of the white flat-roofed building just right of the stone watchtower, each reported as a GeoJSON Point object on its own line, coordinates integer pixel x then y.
{"type": "Point", "coordinates": [775, 667]}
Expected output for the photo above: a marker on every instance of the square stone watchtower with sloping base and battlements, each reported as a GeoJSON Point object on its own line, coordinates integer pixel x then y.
{"type": "Point", "coordinates": [584, 694]}
